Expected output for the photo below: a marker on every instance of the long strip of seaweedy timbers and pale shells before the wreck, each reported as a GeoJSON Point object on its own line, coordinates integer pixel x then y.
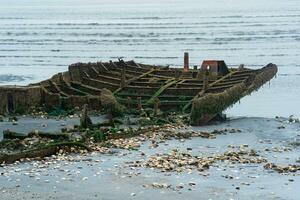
{"type": "Point", "coordinates": [17, 146]}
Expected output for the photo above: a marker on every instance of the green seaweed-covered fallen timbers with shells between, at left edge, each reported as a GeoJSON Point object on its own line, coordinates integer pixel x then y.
{"type": "Point", "coordinates": [17, 146]}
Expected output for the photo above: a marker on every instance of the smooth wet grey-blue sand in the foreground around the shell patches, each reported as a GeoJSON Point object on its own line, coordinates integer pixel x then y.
{"type": "Point", "coordinates": [109, 176]}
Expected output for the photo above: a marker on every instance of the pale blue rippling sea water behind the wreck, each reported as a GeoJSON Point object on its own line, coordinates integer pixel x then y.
{"type": "Point", "coordinates": [41, 38]}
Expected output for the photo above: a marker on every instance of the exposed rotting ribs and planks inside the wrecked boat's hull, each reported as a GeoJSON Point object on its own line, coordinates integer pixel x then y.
{"type": "Point", "coordinates": [82, 84]}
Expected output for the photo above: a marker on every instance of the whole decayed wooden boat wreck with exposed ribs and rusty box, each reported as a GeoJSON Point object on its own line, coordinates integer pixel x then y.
{"type": "Point", "coordinates": [202, 92]}
